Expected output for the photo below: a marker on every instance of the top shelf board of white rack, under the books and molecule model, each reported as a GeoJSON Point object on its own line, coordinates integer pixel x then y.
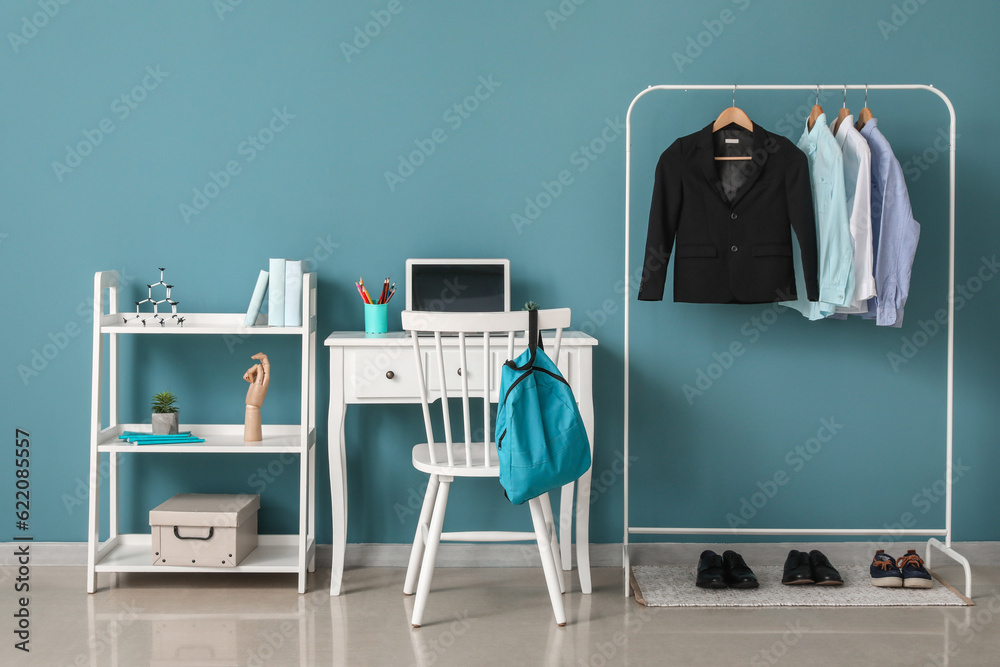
{"type": "Point", "coordinates": [200, 323]}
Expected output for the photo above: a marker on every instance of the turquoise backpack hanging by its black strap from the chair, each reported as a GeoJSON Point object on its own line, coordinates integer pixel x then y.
{"type": "Point", "coordinates": [541, 441]}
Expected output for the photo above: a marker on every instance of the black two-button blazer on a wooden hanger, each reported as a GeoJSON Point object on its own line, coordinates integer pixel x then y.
{"type": "Point", "coordinates": [731, 220]}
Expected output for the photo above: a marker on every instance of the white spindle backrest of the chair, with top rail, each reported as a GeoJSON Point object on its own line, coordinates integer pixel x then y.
{"type": "Point", "coordinates": [473, 331]}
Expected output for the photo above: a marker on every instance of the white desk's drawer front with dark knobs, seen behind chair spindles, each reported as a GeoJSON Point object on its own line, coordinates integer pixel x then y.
{"type": "Point", "coordinates": [391, 372]}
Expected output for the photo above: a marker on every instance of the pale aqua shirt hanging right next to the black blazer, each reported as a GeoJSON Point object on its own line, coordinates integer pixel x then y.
{"type": "Point", "coordinates": [833, 233]}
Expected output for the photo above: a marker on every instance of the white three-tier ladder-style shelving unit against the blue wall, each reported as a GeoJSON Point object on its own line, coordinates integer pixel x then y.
{"type": "Point", "coordinates": [292, 553]}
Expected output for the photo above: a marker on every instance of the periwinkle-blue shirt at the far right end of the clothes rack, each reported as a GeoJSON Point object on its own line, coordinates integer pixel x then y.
{"type": "Point", "coordinates": [894, 231]}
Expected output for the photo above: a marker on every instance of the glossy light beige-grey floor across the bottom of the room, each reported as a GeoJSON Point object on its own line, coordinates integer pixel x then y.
{"type": "Point", "coordinates": [488, 616]}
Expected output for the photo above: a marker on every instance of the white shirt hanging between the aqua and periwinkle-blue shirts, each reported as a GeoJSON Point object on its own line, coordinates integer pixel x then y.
{"type": "Point", "coordinates": [858, 188]}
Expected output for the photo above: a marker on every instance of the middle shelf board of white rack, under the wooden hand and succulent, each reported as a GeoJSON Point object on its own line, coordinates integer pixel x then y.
{"type": "Point", "coordinates": [219, 439]}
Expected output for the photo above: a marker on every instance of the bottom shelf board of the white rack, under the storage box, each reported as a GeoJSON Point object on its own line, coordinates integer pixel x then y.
{"type": "Point", "coordinates": [274, 553]}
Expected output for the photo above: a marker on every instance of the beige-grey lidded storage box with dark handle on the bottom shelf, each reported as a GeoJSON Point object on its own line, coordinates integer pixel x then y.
{"type": "Point", "coordinates": [204, 530]}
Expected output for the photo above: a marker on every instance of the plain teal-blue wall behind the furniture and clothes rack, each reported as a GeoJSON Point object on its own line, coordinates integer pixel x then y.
{"type": "Point", "coordinates": [550, 85]}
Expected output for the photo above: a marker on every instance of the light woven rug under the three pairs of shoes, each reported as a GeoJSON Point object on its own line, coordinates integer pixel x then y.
{"type": "Point", "coordinates": [673, 586]}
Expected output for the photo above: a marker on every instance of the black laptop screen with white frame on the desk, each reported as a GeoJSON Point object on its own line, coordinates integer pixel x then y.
{"type": "Point", "coordinates": [458, 286]}
